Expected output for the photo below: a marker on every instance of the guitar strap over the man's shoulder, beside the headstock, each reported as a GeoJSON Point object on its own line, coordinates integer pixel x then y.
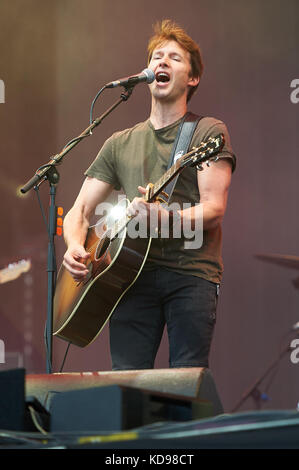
{"type": "Point", "coordinates": [181, 146]}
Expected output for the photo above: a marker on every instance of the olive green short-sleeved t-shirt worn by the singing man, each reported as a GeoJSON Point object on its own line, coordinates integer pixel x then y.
{"type": "Point", "coordinates": [140, 155]}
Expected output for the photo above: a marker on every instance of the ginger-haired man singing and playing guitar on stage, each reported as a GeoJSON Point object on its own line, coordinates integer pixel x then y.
{"type": "Point", "coordinates": [177, 286]}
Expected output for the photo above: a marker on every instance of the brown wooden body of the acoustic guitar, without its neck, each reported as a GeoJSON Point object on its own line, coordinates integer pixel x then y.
{"type": "Point", "coordinates": [81, 310]}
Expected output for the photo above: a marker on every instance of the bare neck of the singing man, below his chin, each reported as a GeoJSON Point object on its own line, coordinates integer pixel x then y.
{"type": "Point", "coordinates": [165, 113]}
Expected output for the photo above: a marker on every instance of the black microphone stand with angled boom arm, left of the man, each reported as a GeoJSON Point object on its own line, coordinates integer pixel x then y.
{"type": "Point", "coordinates": [49, 172]}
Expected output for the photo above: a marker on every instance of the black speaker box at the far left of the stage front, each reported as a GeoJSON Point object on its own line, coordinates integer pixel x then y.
{"type": "Point", "coordinates": [16, 413]}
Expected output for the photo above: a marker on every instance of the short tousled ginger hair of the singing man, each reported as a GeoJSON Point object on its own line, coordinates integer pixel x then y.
{"type": "Point", "coordinates": [168, 30]}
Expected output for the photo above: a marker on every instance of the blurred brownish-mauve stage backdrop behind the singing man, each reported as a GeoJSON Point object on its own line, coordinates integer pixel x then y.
{"type": "Point", "coordinates": [54, 57]}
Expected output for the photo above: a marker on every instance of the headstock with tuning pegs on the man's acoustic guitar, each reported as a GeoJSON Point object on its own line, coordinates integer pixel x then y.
{"type": "Point", "coordinates": [206, 152]}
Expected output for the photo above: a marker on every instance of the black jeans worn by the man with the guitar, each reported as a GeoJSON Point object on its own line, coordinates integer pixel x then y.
{"type": "Point", "coordinates": [186, 304]}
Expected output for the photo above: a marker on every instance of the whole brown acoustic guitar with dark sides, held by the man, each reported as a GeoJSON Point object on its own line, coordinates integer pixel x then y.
{"type": "Point", "coordinates": [81, 309]}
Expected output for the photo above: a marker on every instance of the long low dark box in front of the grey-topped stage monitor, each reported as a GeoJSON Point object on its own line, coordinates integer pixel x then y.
{"type": "Point", "coordinates": [116, 408]}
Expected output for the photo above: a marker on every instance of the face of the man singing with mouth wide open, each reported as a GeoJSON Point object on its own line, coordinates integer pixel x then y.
{"type": "Point", "coordinates": [172, 68]}
